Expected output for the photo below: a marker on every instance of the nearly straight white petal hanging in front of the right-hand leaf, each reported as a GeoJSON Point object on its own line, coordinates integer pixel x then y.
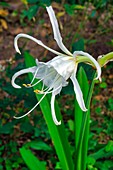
{"type": "Point", "coordinates": [78, 92]}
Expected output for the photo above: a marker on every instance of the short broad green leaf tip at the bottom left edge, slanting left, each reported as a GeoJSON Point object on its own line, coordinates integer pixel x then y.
{"type": "Point", "coordinates": [31, 160]}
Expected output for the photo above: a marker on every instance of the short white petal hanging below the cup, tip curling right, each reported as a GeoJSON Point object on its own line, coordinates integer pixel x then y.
{"type": "Point", "coordinates": [53, 110]}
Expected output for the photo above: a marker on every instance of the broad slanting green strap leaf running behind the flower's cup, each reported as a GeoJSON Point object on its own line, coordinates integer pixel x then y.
{"type": "Point", "coordinates": [57, 133]}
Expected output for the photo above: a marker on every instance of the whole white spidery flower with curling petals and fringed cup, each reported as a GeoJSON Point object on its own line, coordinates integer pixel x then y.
{"type": "Point", "coordinates": [55, 73]}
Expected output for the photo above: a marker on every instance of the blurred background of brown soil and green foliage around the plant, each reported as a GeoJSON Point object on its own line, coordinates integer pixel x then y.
{"type": "Point", "coordinates": [85, 25]}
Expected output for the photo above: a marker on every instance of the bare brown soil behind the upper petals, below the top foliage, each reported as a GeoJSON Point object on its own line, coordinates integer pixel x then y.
{"type": "Point", "coordinates": [97, 31]}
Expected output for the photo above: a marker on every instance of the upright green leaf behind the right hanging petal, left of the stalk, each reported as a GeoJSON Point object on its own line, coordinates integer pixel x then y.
{"type": "Point", "coordinates": [83, 82]}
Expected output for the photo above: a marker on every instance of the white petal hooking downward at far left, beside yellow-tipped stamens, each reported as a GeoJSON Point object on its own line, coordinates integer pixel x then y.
{"type": "Point", "coordinates": [28, 70]}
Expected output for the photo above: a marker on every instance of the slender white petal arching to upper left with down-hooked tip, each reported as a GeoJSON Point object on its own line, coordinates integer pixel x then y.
{"type": "Point", "coordinates": [35, 40]}
